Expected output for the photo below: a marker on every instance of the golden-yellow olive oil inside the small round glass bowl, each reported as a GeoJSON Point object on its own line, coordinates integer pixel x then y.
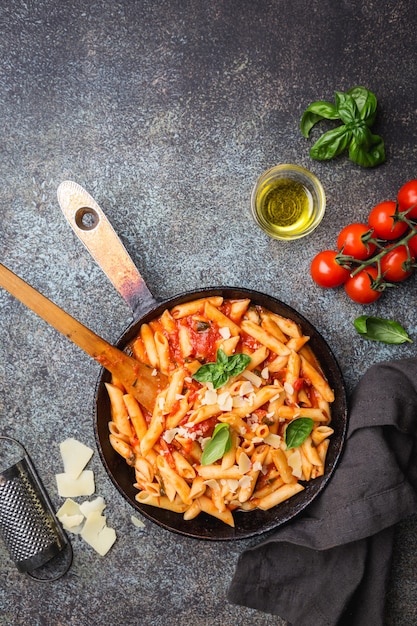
{"type": "Point", "coordinates": [286, 205]}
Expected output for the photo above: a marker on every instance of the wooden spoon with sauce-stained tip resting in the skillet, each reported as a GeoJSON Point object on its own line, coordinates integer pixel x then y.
{"type": "Point", "coordinates": [139, 379]}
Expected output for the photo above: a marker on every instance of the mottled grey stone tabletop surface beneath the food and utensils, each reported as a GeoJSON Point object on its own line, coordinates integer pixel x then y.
{"type": "Point", "coordinates": [166, 112]}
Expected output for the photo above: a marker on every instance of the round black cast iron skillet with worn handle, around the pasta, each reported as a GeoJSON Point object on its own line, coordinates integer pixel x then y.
{"type": "Point", "coordinates": [76, 203]}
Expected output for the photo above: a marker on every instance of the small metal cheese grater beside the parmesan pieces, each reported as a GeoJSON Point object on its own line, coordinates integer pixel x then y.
{"type": "Point", "coordinates": [28, 525]}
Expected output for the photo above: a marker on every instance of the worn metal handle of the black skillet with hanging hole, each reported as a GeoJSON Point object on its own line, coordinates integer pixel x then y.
{"type": "Point", "coordinates": [97, 234]}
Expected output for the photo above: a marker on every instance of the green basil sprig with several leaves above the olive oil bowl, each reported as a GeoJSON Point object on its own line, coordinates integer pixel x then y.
{"type": "Point", "coordinates": [356, 109]}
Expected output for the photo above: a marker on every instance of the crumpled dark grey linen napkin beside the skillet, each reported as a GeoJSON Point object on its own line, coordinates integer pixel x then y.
{"type": "Point", "coordinates": [330, 566]}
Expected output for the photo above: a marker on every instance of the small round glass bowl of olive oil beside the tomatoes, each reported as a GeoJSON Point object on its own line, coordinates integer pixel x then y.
{"type": "Point", "coordinates": [288, 202]}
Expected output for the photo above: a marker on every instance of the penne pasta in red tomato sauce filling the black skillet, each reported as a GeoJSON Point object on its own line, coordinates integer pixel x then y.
{"type": "Point", "coordinates": [253, 406]}
